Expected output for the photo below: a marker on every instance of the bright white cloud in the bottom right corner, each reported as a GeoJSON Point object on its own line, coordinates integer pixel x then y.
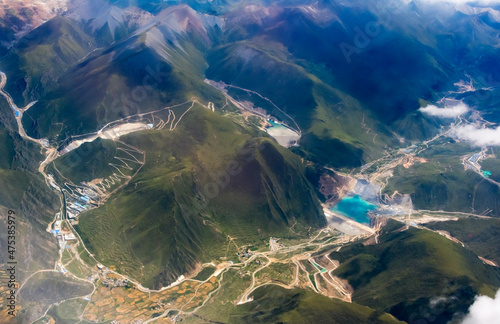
{"type": "Point", "coordinates": [485, 310]}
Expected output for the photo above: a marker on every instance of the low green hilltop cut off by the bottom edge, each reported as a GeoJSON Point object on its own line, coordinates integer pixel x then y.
{"type": "Point", "coordinates": [273, 304]}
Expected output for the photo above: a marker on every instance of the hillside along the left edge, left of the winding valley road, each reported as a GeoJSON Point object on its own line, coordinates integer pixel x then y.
{"type": "Point", "coordinates": [26, 198]}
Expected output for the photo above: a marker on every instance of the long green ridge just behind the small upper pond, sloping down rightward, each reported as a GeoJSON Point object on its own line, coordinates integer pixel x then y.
{"type": "Point", "coordinates": [329, 118]}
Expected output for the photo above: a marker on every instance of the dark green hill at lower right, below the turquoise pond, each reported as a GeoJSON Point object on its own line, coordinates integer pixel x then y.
{"type": "Point", "coordinates": [415, 274]}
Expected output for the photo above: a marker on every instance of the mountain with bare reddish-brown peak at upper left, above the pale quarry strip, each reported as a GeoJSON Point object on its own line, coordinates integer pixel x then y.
{"type": "Point", "coordinates": [129, 77]}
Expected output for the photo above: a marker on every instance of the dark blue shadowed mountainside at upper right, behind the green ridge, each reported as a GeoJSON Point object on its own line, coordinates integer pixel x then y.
{"type": "Point", "coordinates": [328, 35]}
